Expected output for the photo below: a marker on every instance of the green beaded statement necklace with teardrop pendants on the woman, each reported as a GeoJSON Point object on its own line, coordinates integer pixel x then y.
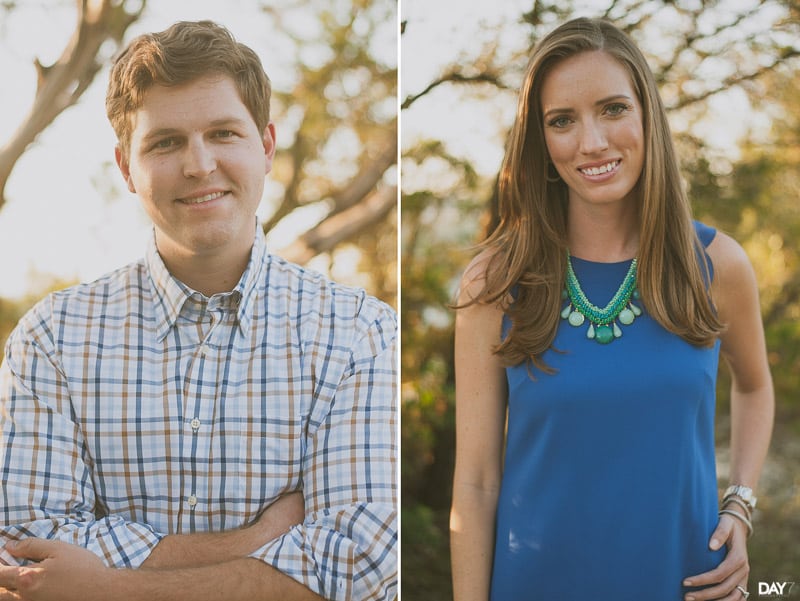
{"type": "Point", "coordinates": [602, 322]}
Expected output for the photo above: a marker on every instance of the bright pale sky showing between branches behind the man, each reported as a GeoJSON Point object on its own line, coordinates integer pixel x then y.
{"type": "Point", "coordinates": [68, 217]}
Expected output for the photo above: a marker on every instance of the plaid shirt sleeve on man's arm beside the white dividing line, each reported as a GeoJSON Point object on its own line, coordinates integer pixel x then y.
{"type": "Point", "coordinates": [347, 546]}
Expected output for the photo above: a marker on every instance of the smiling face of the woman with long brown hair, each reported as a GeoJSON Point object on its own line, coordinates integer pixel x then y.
{"type": "Point", "coordinates": [593, 128]}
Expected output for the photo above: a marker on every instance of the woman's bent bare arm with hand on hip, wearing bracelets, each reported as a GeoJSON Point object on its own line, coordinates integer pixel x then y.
{"type": "Point", "coordinates": [735, 295]}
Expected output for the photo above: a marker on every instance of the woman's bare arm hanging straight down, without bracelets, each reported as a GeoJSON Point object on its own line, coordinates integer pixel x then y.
{"type": "Point", "coordinates": [480, 421]}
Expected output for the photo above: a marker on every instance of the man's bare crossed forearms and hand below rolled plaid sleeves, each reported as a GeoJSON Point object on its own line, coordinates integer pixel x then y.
{"type": "Point", "coordinates": [191, 567]}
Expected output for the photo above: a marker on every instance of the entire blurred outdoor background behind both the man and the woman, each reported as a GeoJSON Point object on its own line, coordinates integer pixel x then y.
{"type": "Point", "coordinates": [729, 72]}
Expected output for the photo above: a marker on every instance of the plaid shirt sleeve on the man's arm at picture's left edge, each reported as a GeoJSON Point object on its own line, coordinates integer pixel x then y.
{"type": "Point", "coordinates": [46, 488]}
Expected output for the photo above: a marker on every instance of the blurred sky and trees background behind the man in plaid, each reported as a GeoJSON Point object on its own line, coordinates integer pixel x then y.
{"type": "Point", "coordinates": [330, 202]}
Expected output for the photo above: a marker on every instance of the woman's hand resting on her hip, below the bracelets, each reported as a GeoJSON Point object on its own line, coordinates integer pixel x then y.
{"type": "Point", "coordinates": [732, 572]}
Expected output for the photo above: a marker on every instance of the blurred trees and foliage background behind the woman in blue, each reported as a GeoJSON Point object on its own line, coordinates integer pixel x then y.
{"type": "Point", "coordinates": [729, 74]}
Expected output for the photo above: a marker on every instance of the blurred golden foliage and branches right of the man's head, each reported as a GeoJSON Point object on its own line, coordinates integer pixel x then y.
{"type": "Point", "coordinates": [343, 153]}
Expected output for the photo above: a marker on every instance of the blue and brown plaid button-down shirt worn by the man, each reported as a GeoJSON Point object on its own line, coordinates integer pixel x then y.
{"type": "Point", "coordinates": [133, 408]}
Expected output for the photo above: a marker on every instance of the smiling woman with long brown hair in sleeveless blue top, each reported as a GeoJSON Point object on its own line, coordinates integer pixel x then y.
{"type": "Point", "coordinates": [594, 318]}
